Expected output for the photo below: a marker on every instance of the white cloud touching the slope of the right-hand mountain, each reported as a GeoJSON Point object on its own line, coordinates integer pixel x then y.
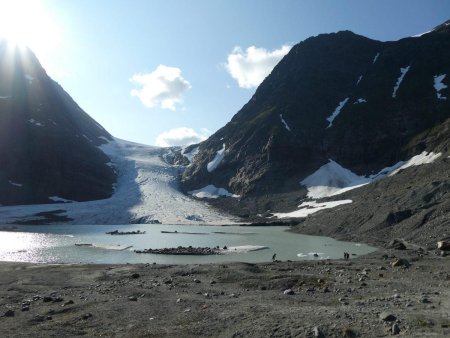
{"type": "Point", "coordinates": [250, 67]}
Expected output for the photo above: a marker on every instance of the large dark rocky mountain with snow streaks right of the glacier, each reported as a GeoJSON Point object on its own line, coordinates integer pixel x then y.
{"type": "Point", "coordinates": [365, 104]}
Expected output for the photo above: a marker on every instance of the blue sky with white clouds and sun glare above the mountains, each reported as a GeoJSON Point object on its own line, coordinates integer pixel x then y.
{"type": "Point", "coordinates": [172, 72]}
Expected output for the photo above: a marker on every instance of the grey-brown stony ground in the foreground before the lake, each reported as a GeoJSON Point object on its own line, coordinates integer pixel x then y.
{"type": "Point", "coordinates": [363, 297]}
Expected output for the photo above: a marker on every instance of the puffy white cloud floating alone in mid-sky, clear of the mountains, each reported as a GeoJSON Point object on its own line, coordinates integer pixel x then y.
{"type": "Point", "coordinates": [163, 87]}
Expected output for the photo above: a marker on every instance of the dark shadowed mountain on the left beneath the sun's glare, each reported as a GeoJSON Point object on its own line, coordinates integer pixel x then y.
{"type": "Point", "coordinates": [48, 144]}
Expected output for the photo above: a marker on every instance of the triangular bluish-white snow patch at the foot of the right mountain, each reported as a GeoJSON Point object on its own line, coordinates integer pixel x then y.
{"type": "Point", "coordinates": [332, 179]}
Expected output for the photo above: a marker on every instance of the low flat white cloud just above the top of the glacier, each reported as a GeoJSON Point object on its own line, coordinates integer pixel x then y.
{"type": "Point", "coordinates": [181, 136]}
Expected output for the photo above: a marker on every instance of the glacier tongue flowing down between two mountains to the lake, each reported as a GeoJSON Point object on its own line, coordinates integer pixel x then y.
{"type": "Point", "coordinates": [147, 190]}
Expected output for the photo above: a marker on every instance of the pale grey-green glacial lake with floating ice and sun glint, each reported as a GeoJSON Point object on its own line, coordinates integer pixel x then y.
{"type": "Point", "coordinates": [56, 244]}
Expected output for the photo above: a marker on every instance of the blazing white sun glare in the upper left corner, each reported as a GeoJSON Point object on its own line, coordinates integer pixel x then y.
{"type": "Point", "coordinates": [28, 23]}
